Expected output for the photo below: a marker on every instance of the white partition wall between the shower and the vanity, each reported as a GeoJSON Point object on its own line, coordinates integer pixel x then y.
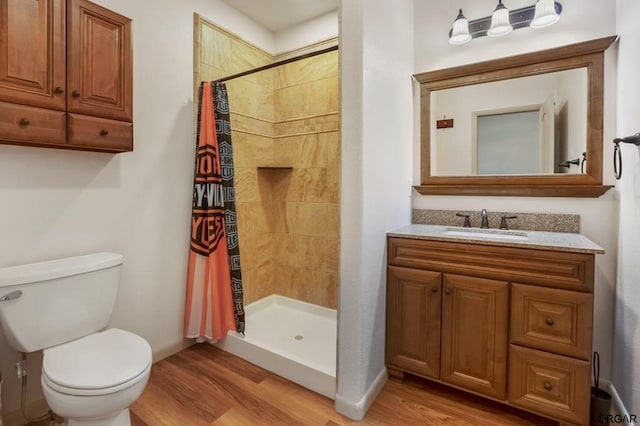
{"type": "Point", "coordinates": [376, 105]}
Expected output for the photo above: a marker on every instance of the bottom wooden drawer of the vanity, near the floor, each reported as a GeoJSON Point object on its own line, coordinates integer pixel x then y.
{"type": "Point", "coordinates": [549, 384]}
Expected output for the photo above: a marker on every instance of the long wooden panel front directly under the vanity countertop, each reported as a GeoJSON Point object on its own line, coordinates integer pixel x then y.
{"type": "Point", "coordinates": [572, 271]}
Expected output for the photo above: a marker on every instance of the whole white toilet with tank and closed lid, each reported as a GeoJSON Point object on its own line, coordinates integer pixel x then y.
{"type": "Point", "coordinates": [89, 376]}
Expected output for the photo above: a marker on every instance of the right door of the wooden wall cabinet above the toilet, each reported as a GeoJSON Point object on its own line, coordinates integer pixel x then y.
{"type": "Point", "coordinates": [99, 73]}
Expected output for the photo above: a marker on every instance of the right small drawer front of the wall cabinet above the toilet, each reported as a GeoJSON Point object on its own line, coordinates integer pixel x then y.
{"type": "Point", "coordinates": [100, 133]}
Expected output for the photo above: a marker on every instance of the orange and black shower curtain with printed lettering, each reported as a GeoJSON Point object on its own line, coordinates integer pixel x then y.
{"type": "Point", "coordinates": [214, 302]}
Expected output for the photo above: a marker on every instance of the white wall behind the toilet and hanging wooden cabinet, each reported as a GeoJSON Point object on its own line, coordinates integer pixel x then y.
{"type": "Point", "coordinates": [62, 203]}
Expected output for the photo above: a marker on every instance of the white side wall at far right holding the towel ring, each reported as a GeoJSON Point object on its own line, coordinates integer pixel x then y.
{"type": "Point", "coordinates": [626, 350]}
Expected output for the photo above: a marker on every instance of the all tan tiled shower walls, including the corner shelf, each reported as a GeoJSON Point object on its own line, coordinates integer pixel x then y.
{"type": "Point", "coordinates": [287, 116]}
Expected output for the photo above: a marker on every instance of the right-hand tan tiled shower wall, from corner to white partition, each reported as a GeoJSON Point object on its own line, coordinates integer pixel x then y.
{"type": "Point", "coordinates": [306, 198]}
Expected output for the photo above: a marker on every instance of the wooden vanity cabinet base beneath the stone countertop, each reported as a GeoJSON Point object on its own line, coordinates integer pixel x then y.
{"type": "Point", "coordinates": [512, 324]}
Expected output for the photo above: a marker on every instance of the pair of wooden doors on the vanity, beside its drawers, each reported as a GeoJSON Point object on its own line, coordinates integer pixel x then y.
{"type": "Point", "coordinates": [448, 327]}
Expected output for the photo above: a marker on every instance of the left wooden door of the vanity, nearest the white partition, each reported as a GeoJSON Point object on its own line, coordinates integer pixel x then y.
{"type": "Point", "coordinates": [413, 320]}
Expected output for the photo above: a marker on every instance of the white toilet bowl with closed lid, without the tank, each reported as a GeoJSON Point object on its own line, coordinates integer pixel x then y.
{"type": "Point", "coordinates": [94, 379]}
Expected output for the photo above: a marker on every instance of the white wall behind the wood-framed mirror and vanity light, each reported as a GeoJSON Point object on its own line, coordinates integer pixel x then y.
{"type": "Point", "coordinates": [581, 20]}
